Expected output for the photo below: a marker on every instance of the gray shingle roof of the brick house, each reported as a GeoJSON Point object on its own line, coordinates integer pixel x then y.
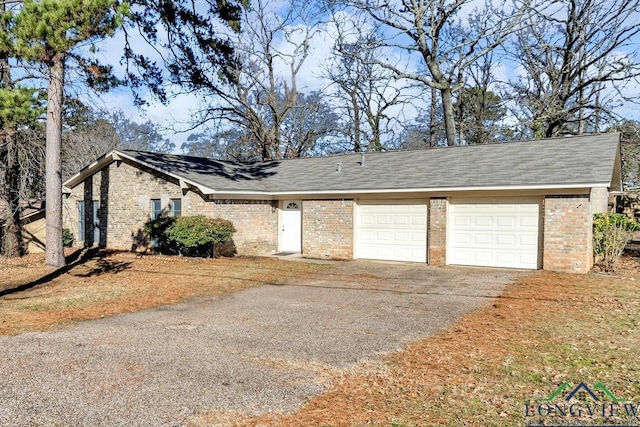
{"type": "Point", "coordinates": [571, 162]}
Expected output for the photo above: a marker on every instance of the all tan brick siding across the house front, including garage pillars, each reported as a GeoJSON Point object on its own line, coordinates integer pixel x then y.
{"type": "Point", "coordinates": [125, 193]}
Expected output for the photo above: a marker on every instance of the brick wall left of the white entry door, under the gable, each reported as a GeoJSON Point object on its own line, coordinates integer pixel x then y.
{"type": "Point", "coordinates": [125, 193]}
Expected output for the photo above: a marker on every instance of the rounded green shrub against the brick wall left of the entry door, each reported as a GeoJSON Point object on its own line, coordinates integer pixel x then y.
{"type": "Point", "coordinates": [189, 235]}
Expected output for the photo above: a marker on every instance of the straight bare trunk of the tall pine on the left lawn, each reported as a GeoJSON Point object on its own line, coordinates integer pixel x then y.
{"type": "Point", "coordinates": [54, 254]}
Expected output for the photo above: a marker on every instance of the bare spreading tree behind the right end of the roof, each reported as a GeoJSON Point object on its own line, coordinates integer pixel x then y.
{"type": "Point", "coordinates": [578, 60]}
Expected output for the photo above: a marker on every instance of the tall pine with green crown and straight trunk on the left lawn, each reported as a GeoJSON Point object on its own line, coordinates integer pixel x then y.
{"type": "Point", "coordinates": [47, 32]}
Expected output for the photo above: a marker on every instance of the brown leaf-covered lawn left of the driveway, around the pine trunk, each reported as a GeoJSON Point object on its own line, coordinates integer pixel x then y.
{"type": "Point", "coordinates": [98, 284]}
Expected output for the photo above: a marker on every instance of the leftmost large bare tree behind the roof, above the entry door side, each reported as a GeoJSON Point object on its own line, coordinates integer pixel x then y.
{"type": "Point", "coordinates": [253, 97]}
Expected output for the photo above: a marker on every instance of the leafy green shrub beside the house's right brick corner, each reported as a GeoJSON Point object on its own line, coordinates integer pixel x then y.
{"type": "Point", "coordinates": [611, 233]}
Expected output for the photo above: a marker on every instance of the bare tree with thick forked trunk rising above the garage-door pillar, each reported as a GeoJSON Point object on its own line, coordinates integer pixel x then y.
{"type": "Point", "coordinates": [446, 43]}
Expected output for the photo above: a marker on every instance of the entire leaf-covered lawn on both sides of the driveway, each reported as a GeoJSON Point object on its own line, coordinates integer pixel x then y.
{"type": "Point", "coordinates": [492, 368]}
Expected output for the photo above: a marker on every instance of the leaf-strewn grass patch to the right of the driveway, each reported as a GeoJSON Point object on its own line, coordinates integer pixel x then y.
{"type": "Point", "coordinates": [545, 330]}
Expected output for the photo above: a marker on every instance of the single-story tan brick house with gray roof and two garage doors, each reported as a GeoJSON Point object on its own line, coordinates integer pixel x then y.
{"type": "Point", "coordinates": [526, 204]}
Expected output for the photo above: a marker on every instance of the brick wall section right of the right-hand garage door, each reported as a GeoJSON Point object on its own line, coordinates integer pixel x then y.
{"type": "Point", "coordinates": [567, 240]}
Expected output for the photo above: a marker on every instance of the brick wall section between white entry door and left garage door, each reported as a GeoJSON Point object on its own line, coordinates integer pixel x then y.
{"type": "Point", "coordinates": [327, 228]}
